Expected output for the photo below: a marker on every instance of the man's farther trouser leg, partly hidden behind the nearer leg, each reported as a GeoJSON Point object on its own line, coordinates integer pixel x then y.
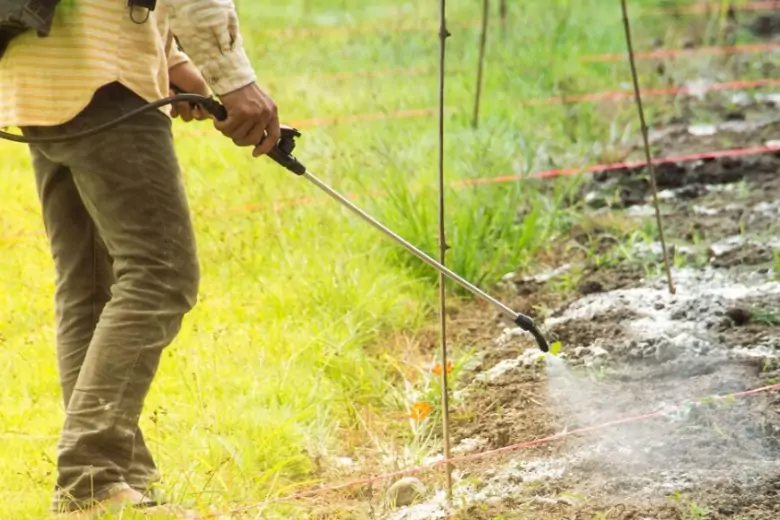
{"type": "Point", "coordinates": [84, 278]}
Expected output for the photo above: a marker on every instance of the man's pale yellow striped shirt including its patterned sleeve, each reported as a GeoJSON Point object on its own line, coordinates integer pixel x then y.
{"type": "Point", "coordinates": [48, 81]}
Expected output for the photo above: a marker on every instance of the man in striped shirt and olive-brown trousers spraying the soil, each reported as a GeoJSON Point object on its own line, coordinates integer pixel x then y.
{"type": "Point", "coordinates": [115, 211]}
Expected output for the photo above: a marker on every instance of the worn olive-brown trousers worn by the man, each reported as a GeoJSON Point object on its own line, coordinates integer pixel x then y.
{"type": "Point", "coordinates": [116, 215]}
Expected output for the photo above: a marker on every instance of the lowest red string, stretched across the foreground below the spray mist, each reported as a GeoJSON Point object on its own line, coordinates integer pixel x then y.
{"type": "Point", "coordinates": [489, 453]}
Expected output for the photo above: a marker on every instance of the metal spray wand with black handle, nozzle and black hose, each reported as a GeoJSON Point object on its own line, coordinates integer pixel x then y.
{"type": "Point", "coordinates": [281, 153]}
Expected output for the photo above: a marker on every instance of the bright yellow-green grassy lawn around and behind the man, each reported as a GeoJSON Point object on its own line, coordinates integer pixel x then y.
{"type": "Point", "coordinates": [307, 317]}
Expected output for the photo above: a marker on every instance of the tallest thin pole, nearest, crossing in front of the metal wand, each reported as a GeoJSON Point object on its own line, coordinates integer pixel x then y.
{"type": "Point", "coordinates": [445, 396]}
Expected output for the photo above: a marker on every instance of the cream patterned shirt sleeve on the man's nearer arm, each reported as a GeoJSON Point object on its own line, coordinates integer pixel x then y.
{"type": "Point", "coordinates": [208, 31]}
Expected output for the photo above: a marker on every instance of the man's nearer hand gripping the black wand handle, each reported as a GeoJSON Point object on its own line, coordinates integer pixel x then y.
{"type": "Point", "coordinates": [251, 115]}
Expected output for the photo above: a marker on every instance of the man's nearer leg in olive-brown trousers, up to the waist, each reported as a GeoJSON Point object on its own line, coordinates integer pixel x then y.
{"type": "Point", "coordinates": [129, 180]}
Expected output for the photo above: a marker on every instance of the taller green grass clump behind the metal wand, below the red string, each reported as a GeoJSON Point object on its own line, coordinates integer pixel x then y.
{"type": "Point", "coordinates": [490, 229]}
